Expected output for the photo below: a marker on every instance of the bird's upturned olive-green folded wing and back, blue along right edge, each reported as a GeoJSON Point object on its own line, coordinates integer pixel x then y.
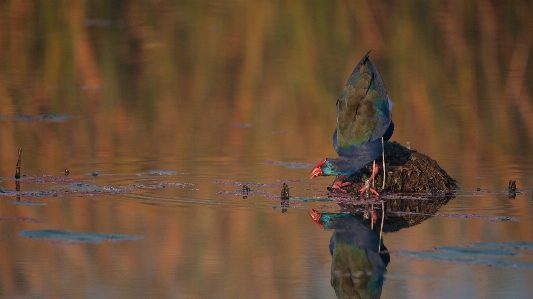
{"type": "Point", "coordinates": [363, 110]}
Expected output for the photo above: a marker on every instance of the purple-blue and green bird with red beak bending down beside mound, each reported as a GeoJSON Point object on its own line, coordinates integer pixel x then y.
{"type": "Point", "coordinates": [364, 124]}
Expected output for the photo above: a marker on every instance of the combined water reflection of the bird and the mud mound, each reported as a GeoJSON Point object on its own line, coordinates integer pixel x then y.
{"type": "Point", "coordinates": [359, 257]}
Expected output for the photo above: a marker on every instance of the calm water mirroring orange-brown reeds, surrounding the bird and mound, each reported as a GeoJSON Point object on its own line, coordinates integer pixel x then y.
{"type": "Point", "coordinates": [160, 113]}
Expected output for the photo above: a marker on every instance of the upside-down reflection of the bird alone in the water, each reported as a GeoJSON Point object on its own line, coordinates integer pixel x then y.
{"type": "Point", "coordinates": [359, 257]}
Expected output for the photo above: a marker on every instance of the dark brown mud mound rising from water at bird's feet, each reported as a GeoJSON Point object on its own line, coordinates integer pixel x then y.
{"type": "Point", "coordinates": [407, 171]}
